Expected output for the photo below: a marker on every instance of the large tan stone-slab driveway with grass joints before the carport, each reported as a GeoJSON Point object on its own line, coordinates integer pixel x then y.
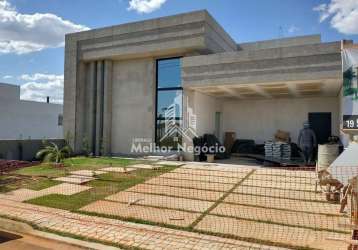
{"type": "Point", "coordinates": [277, 206]}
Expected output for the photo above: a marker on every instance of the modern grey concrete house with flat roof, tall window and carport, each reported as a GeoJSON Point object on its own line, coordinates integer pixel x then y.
{"type": "Point", "coordinates": [121, 81]}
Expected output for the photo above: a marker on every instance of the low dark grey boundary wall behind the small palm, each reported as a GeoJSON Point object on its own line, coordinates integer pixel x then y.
{"type": "Point", "coordinates": [23, 149]}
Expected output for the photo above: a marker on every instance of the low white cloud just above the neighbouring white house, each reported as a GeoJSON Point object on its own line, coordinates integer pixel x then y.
{"type": "Point", "coordinates": [38, 86]}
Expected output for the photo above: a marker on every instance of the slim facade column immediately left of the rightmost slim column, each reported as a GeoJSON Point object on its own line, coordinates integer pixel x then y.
{"type": "Point", "coordinates": [99, 109]}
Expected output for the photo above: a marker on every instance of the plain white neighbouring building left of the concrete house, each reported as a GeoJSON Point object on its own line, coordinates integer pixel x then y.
{"type": "Point", "coordinates": [21, 119]}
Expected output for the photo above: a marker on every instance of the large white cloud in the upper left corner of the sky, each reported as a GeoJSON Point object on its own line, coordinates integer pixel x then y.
{"type": "Point", "coordinates": [25, 33]}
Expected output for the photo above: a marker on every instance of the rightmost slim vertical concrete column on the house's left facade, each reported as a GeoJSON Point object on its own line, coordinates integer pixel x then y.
{"type": "Point", "coordinates": [107, 107]}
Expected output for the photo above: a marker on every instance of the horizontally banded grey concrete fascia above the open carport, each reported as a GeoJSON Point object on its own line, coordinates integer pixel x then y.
{"type": "Point", "coordinates": [298, 63]}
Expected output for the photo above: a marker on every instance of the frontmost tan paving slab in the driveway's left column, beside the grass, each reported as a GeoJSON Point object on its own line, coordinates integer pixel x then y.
{"type": "Point", "coordinates": [159, 215]}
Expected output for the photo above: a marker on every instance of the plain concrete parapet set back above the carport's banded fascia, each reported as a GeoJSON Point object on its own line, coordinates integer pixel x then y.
{"type": "Point", "coordinates": [281, 42]}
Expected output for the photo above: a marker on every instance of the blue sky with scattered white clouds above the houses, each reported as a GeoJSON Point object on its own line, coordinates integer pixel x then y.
{"type": "Point", "coordinates": [34, 57]}
